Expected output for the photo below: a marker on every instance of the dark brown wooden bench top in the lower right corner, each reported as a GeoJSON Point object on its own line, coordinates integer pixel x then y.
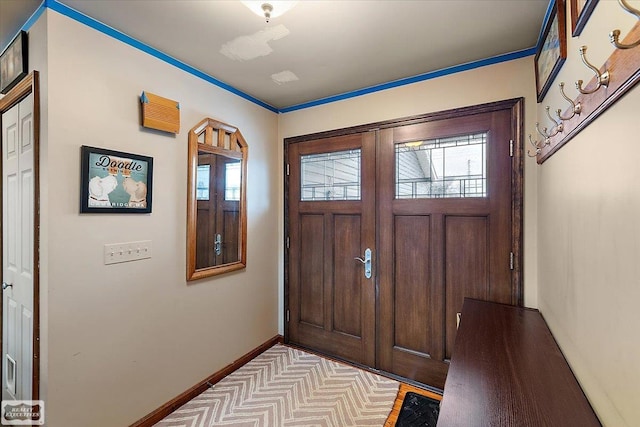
{"type": "Point", "coordinates": [507, 370]}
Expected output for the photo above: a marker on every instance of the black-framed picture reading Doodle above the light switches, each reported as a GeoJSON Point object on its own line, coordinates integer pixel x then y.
{"type": "Point", "coordinates": [115, 182]}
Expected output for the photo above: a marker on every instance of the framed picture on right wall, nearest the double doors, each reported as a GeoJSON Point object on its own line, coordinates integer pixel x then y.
{"type": "Point", "coordinates": [552, 49]}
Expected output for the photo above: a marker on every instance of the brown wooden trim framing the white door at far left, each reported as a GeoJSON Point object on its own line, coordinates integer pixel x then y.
{"type": "Point", "coordinates": [28, 85]}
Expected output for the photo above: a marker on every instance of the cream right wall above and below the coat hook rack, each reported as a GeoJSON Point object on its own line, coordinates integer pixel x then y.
{"type": "Point", "coordinates": [589, 235]}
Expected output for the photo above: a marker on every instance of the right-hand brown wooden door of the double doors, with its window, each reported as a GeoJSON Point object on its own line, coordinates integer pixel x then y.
{"type": "Point", "coordinates": [444, 233]}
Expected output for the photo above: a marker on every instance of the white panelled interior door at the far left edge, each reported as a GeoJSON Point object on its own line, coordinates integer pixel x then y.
{"type": "Point", "coordinates": [17, 250]}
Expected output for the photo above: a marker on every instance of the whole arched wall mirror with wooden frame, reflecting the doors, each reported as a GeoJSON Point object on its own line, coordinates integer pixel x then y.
{"type": "Point", "coordinates": [216, 205]}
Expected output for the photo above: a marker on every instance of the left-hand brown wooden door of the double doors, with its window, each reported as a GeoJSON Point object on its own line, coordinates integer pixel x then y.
{"type": "Point", "coordinates": [332, 223]}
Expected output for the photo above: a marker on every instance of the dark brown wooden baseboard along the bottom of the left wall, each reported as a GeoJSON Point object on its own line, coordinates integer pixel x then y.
{"type": "Point", "coordinates": [160, 413]}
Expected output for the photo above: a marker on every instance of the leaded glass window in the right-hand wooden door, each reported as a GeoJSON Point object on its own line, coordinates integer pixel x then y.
{"type": "Point", "coordinates": [442, 168]}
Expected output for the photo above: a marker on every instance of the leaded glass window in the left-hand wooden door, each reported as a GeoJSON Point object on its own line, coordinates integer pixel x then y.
{"type": "Point", "coordinates": [330, 176]}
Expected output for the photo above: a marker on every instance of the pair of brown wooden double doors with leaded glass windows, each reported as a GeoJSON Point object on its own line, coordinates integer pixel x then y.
{"type": "Point", "coordinates": [389, 229]}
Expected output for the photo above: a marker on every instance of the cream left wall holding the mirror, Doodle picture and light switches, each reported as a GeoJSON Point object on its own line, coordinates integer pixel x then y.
{"type": "Point", "coordinates": [123, 339]}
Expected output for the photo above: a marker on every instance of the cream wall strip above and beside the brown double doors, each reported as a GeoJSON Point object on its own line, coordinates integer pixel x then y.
{"type": "Point", "coordinates": [506, 80]}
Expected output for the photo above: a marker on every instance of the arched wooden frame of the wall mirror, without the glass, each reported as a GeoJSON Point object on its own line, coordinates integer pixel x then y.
{"type": "Point", "coordinates": [215, 137]}
